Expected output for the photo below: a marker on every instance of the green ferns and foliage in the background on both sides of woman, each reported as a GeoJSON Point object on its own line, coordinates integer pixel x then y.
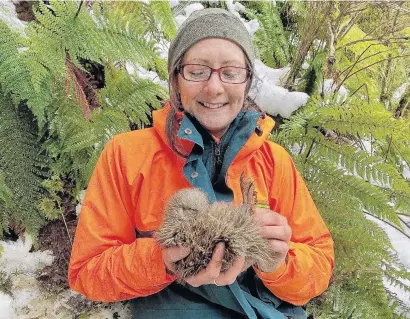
{"type": "Point", "coordinates": [65, 91]}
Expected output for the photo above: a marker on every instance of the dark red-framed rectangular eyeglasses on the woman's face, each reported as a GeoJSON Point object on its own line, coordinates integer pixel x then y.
{"type": "Point", "coordinates": [201, 73]}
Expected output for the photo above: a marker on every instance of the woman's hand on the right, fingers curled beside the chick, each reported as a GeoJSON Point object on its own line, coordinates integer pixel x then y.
{"type": "Point", "coordinates": [275, 229]}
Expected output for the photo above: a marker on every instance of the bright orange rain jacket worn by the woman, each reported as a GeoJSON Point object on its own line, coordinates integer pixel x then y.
{"type": "Point", "coordinates": [137, 173]}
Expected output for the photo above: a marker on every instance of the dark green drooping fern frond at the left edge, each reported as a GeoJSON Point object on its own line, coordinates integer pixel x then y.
{"type": "Point", "coordinates": [22, 168]}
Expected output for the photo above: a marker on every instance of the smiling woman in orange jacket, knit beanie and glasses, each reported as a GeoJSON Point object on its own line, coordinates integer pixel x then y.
{"type": "Point", "coordinates": [202, 138]}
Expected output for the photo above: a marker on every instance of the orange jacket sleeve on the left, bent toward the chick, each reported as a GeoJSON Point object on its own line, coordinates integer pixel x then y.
{"type": "Point", "coordinates": [107, 262]}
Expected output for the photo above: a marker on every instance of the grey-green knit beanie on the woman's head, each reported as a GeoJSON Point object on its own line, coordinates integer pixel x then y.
{"type": "Point", "coordinates": [210, 23]}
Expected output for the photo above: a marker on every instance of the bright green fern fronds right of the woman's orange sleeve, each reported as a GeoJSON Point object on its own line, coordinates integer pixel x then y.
{"type": "Point", "coordinates": [344, 181]}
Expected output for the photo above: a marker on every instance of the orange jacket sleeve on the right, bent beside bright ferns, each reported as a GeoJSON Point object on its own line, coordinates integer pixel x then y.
{"type": "Point", "coordinates": [310, 262]}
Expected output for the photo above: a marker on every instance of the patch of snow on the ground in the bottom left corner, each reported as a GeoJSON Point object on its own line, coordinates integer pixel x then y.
{"type": "Point", "coordinates": [26, 298]}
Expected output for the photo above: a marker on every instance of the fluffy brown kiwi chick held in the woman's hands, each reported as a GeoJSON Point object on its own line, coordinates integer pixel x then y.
{"type": "Point", "coordinates": [191, 221]}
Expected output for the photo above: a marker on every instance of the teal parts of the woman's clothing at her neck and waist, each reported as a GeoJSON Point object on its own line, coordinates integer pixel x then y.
{"type": "Point", "coordinates": [245, 298]}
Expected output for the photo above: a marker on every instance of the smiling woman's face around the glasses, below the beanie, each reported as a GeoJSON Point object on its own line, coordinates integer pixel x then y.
{"type": "Point", "coordinates": [213, 103]}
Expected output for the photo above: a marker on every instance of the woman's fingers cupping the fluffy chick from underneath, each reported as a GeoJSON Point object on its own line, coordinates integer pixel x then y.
{"type": "Point", "coordinates": [212, 273]}
